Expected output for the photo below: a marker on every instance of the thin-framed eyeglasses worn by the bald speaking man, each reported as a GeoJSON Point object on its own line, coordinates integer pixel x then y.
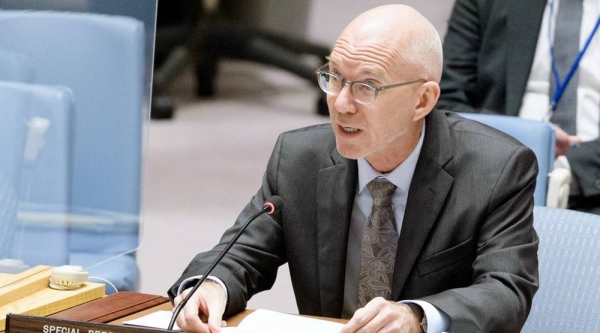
{"type": "Point", "coordinates": [363, 92]}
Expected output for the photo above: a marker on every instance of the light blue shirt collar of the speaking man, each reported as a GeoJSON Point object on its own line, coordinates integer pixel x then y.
{"type": "Point", "coordinates": [401, 176]}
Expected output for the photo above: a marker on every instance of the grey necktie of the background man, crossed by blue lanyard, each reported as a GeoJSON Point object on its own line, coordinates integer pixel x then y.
{"type": "Point", "coordinates": [566, 48]}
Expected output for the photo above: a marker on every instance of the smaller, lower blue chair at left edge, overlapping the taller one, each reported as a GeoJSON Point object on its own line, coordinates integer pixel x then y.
{"type": "Point", "coordinates": [42, 167]}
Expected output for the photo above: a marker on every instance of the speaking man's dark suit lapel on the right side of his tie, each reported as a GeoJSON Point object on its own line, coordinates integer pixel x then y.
{"type": "Point", "coordinates": [428, 191]}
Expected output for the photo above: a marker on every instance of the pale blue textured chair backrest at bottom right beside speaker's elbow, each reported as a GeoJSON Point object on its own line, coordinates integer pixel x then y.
{"type": "Point", "coordinates": [568, 299]}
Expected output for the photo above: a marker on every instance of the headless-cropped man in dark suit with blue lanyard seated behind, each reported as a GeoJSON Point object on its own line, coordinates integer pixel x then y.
{"type": "Point", "coordinates": [498, 59]}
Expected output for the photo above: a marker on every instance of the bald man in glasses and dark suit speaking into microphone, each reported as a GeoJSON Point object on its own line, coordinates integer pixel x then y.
{"type": "Point", "coordinates": [463, 254]}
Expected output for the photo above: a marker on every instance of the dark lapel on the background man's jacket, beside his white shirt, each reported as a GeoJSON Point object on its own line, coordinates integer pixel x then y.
{"type": "Point", "coordinates": [523, 25]}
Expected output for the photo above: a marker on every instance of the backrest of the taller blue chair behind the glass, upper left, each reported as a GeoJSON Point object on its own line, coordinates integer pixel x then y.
{"type": "Point", "coordinates": [100, 57]}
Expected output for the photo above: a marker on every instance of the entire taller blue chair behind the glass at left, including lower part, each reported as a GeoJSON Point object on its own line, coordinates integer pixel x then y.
{"type": "Point", "coordinates": [101, 58]}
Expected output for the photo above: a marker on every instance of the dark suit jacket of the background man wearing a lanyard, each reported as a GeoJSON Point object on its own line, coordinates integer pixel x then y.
{"type": "Point", "coordinates": [488, 53]}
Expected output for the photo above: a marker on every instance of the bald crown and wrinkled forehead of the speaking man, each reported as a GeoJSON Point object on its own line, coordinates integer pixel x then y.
{"type": "Point", "coordinates": [396, 36]}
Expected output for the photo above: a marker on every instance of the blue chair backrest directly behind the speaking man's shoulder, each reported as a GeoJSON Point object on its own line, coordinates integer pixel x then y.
{"type": "Point", "coordinates": [537, 135]}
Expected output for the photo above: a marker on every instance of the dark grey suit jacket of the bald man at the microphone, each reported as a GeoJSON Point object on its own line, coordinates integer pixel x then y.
{"type": "Point", "coordinates": [467, 243]}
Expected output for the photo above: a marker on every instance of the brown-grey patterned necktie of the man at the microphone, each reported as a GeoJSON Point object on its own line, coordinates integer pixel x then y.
{"type": "Point", "coordinates": [379, 243]}
